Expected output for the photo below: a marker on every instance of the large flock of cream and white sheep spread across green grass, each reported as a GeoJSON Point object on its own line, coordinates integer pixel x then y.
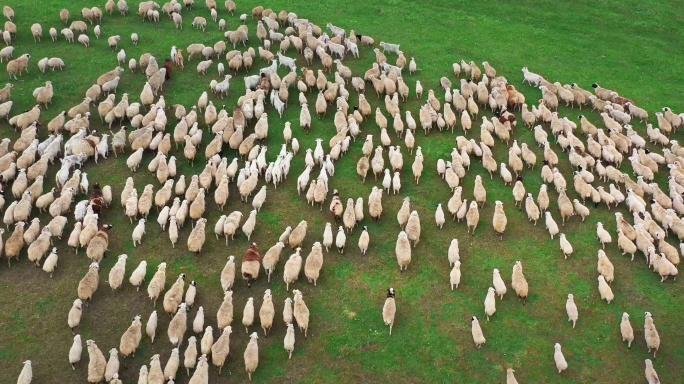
{"type": "Point", "coordinates": [597, 158]}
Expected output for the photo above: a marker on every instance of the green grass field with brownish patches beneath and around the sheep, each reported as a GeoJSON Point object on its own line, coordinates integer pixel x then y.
{"type": "Point", "coordinates": [628, 46]}
